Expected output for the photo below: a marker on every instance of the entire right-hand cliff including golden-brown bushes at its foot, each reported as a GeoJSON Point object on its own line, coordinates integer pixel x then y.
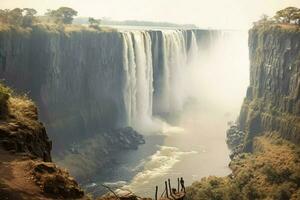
{"type": "Point", "coordinates": [266, 139]}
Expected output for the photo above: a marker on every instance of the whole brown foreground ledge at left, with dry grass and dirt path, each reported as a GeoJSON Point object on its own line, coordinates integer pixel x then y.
{"type": "Point", "coordinates": [26, 170]}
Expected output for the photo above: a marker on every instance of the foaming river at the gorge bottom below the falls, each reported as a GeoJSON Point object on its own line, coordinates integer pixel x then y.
{"type": "Point", "coordinates": [192, 149]}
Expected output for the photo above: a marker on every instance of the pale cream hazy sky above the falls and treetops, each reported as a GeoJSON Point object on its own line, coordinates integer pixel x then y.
{"type": "Point", "coordinates": [204, 13]}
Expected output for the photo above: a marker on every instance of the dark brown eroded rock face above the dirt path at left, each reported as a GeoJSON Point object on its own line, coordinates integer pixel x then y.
{"type": "Point", "coordinates": [21, 132]}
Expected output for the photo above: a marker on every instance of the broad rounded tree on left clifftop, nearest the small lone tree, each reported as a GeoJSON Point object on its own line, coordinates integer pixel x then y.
{"type": "Point", "coordinates": [64, 15]}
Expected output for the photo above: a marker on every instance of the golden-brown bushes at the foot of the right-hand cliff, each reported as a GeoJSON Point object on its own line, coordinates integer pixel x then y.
{"type": "Point", "coordinates": [271, 172]}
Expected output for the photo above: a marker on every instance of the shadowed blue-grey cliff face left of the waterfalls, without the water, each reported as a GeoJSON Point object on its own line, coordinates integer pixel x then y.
{"type": "Point", "coordinates": [69, 75]}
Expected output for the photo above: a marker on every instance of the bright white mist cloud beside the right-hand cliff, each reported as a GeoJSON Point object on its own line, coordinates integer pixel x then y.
{"type": "Point", "coordinates": [217, 76]}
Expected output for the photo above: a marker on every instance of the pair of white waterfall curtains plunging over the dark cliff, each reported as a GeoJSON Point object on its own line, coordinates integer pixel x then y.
{"type": "Point", "coordinates": [138, 67]}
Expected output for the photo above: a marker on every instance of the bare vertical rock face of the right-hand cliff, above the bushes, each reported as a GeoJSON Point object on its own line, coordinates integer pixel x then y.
{"type": "Point", "coordinates": [273, 97]}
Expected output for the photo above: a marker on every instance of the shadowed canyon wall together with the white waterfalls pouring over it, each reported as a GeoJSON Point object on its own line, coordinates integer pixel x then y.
{"type": "Point", "coordinates": [85, 82]}
